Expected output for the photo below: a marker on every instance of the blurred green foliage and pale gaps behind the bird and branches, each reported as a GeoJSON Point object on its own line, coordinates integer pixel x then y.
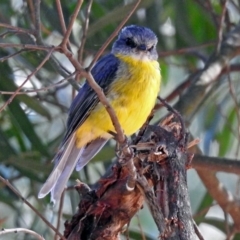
{"type": "Point", "coordinates": [33, 124]}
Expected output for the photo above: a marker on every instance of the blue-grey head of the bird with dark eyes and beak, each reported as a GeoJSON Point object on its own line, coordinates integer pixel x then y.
{"type": "Point", "coordinates": [136, 41]}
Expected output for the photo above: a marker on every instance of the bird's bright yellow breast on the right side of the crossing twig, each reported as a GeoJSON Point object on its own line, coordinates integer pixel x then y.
{"type": "Point", "coordinates": [136, 92]}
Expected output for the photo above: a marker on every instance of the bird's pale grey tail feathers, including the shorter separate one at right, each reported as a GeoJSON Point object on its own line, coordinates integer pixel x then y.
{"type": "Point", "coordinates": [65, 162]}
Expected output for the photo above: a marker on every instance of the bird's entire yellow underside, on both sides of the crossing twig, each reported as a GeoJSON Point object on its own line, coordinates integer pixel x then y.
{"type": "Point", "coordinates": [132, 96]}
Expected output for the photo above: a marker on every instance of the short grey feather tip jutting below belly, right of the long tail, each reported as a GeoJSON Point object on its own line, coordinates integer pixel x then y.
{"type": "Point", "coordinates": [90, 151]}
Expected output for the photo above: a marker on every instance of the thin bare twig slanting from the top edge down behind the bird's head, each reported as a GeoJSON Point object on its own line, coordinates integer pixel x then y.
{"type": "Point", "coordinates": [104, 46]}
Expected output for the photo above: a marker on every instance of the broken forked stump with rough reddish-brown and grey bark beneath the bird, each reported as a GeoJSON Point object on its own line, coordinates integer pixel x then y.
{"type": "Point", "coordinates": [153, 170]}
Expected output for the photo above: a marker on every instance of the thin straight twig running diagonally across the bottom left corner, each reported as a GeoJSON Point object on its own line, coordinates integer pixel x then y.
{"type": "Point", "coordinates": [7, 183]}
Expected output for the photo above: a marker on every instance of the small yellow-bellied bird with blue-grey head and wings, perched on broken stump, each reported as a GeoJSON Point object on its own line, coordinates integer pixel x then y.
{"type": "Point", "coordinates": [130, 79]}
